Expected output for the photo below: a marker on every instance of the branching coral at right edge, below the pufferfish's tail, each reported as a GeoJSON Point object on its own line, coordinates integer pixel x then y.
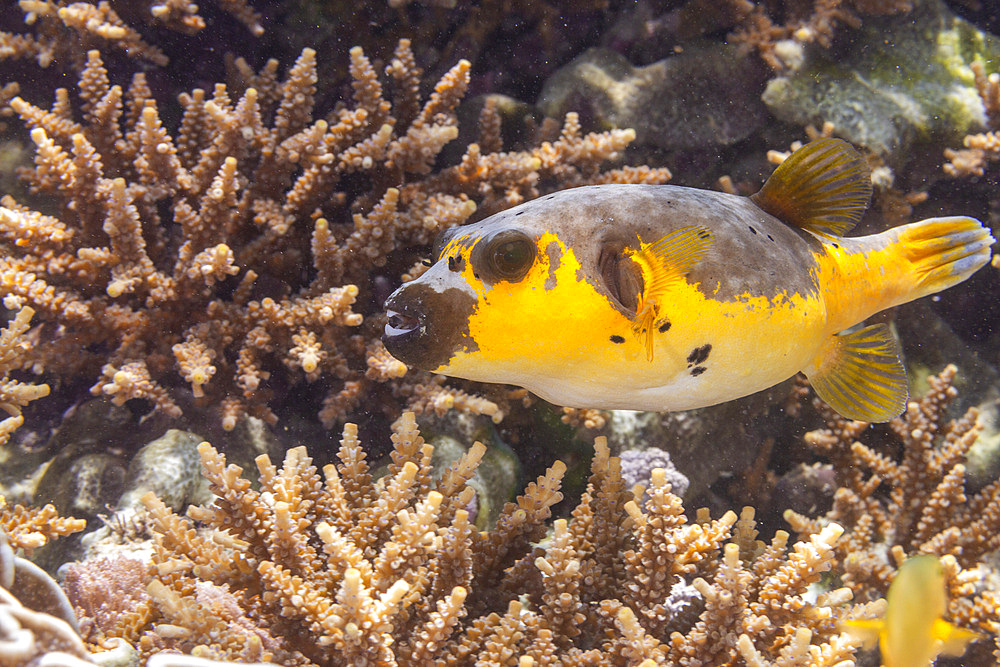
{"type": "Point", "coordinates": [915, 502]}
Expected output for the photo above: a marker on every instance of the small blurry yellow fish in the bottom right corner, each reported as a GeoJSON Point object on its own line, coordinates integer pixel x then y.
{"type": "Point", "coordinates": [913, 632]}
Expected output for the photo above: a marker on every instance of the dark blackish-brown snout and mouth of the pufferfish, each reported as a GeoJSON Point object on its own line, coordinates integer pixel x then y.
{"type": "Point", "coordinates": [429, 319]}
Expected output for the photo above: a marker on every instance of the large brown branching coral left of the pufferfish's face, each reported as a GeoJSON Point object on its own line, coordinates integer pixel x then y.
{"type": "Point", "coordinates": [229, 254]}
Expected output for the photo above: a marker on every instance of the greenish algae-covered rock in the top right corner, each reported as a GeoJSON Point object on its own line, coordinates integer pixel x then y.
{"type": "Point", "coordinates": [903, 78]}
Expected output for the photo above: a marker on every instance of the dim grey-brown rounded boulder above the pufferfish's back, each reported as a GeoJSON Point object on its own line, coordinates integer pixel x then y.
{"type": "Point", "coordinates": [699, 98]}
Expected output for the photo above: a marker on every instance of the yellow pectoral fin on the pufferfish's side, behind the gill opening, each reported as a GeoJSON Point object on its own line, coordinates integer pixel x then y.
{"type": "Point", "coordinates": [661, 264]}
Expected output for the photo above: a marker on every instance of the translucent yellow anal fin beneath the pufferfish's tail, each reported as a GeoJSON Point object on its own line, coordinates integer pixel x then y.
{"type": "Point", "coordinates": [860, 375]}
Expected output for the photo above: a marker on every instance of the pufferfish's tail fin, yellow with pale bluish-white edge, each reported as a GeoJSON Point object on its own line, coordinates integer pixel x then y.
{"type": "Point", "coordinates": [944, 251]}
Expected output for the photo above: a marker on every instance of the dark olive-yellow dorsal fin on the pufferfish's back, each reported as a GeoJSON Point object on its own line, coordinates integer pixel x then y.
{"type": "Point", "coordinates": [824, 187]}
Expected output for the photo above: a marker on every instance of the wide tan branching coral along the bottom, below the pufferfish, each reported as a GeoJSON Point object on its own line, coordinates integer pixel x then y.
{"type": "Point", "coordinates": [333, 567]}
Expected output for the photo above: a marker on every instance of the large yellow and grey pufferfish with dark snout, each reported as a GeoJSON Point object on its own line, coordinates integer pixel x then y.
{"type": "Point", "coordinates": [660, 297]}
